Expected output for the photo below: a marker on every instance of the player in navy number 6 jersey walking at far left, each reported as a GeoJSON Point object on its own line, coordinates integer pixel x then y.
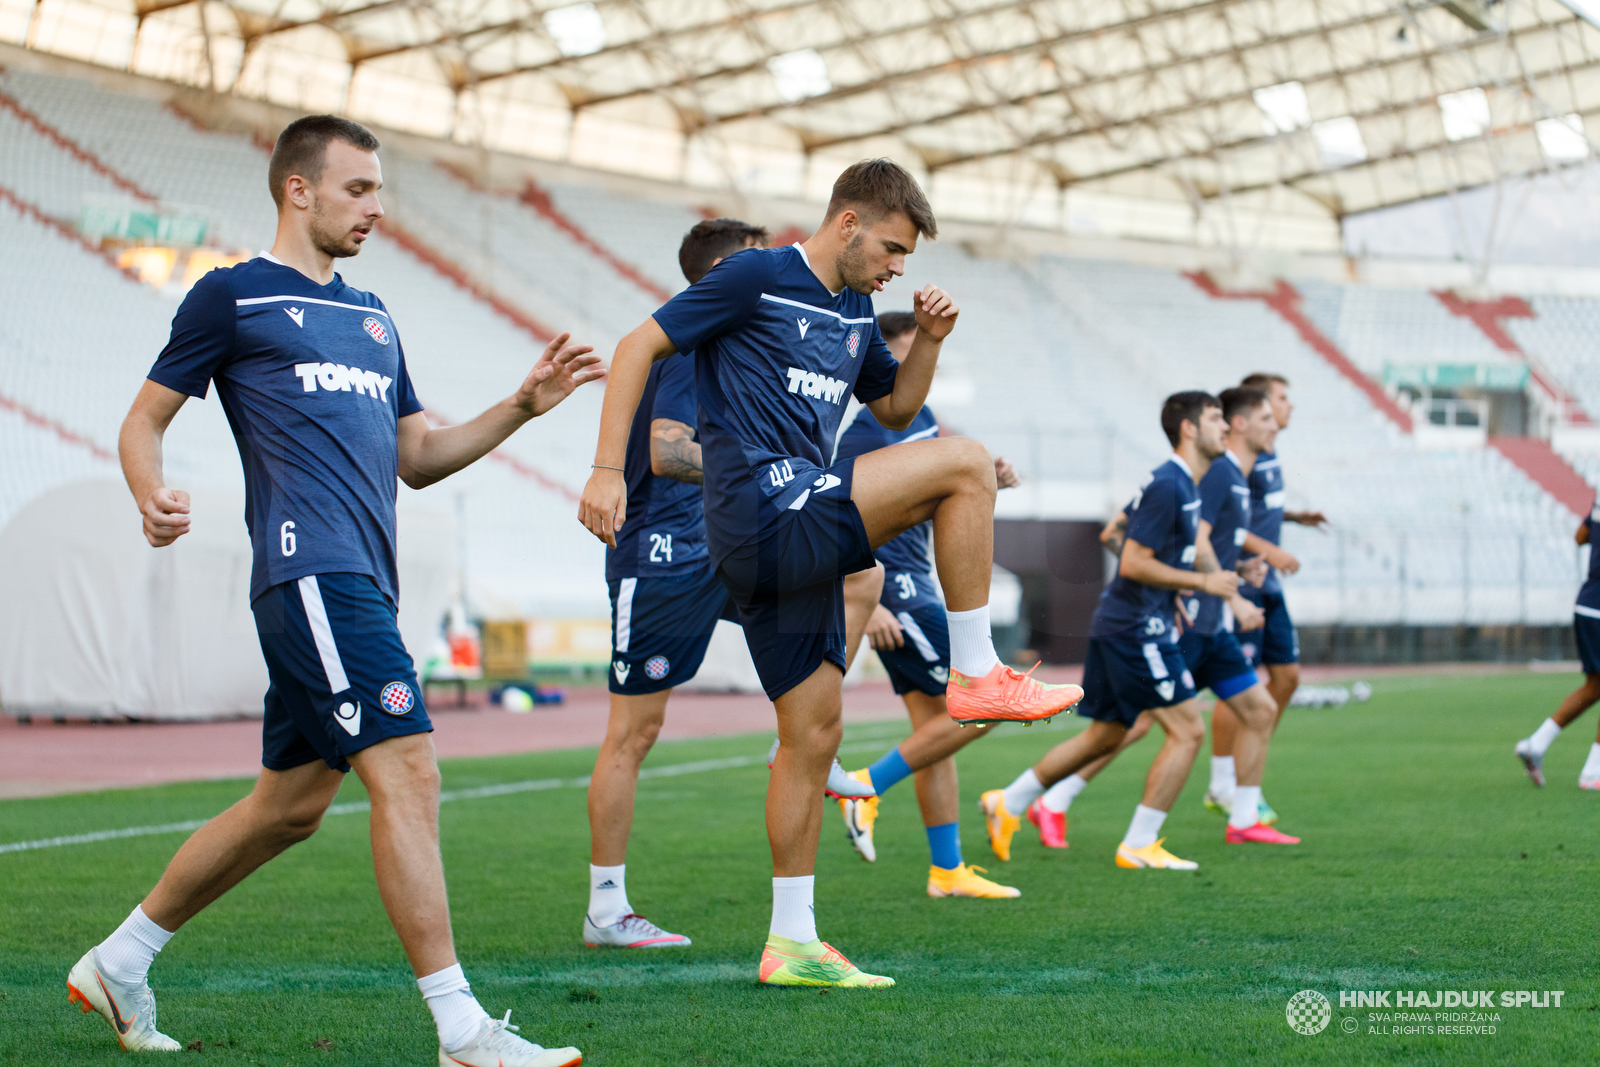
{"type": "Point", "coordinates": [314, 383]}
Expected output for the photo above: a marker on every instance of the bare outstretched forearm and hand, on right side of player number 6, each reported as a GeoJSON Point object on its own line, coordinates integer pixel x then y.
{"type": "Point", "coordinates": [431, 455]}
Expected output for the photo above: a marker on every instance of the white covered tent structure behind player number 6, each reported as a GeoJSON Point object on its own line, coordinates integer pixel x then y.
{"type": "Point", "coordinates": [102, 625]}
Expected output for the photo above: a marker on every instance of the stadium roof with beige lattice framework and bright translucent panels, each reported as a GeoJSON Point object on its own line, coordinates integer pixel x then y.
{"type": "Point", "coordinates": [1018, 110]}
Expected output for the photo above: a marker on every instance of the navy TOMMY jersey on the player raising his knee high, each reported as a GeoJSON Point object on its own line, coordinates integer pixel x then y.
{"type": "Point", "coordinates": [777, 359]}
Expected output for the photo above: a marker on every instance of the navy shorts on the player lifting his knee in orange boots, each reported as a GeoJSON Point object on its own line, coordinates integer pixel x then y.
{"type": "Point", "coordinates": [790, 581]}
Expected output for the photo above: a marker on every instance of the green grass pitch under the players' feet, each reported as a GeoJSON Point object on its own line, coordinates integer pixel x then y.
{"type": "Point", "coordinates": [1430, 863]}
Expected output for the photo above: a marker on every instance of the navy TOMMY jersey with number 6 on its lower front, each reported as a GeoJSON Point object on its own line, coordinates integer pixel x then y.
{"type": "Point", "coordinates": [314, 385]}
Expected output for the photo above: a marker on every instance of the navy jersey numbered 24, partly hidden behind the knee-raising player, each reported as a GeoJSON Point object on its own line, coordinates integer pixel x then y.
{"type": "Point", "coordinates": [666, 527]}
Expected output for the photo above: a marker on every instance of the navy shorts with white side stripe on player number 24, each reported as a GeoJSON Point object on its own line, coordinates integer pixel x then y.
{"type": "Point", "coordinates": [662, 626]}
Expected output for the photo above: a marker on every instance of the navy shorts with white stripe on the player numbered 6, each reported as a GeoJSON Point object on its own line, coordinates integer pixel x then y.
{"type": "Point", "coordinates": [340, 679]}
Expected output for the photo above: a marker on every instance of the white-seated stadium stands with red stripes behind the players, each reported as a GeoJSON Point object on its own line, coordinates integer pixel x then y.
{"type": "Point", "coordinates": [1060, 364]}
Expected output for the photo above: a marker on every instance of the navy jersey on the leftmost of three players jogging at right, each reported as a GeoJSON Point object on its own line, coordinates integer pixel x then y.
{"type": "Point", "coordinates": [1166, 518]}
